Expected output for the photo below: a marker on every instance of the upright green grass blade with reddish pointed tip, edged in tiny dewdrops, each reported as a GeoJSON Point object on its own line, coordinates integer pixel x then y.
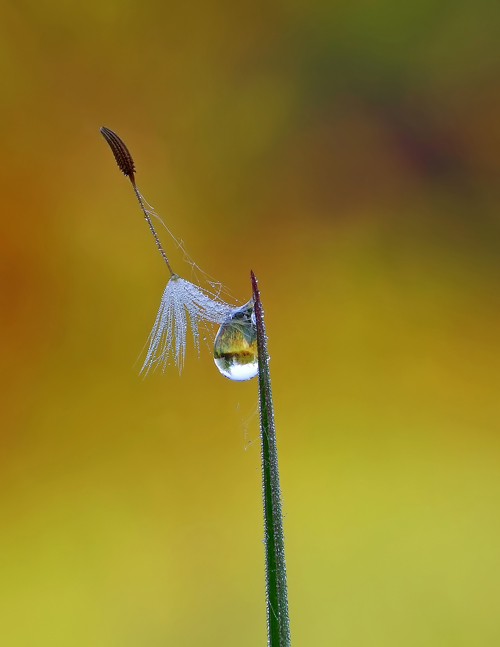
{"type": "Point", "coordinates": [278, 631]}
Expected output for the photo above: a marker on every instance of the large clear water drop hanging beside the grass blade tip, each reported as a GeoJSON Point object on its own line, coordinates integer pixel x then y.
{"type": "Point", "coordinates": [235, 346]}
